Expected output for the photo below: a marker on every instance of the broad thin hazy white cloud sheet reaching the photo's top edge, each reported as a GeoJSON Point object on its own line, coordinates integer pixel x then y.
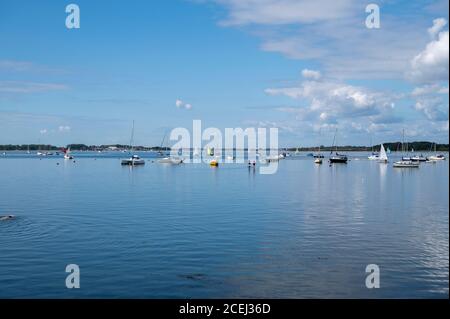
{"type": "Point", "coordinates": [331, 33]}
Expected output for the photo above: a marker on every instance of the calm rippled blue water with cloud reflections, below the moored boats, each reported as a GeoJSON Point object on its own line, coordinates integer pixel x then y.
{"type": "Point", "coordinates": [192, 231]}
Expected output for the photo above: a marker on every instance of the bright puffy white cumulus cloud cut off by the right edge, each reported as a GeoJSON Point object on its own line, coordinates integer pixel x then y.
{"type": "Point", "coordinates": [432, 64]}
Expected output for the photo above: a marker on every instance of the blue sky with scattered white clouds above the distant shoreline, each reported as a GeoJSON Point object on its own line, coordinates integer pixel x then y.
{"type": "Point", "coordinates": [305, 67]}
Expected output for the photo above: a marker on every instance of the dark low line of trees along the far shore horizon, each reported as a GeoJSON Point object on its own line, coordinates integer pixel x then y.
{"type": "Point", "coordinates": [395, 146]}
